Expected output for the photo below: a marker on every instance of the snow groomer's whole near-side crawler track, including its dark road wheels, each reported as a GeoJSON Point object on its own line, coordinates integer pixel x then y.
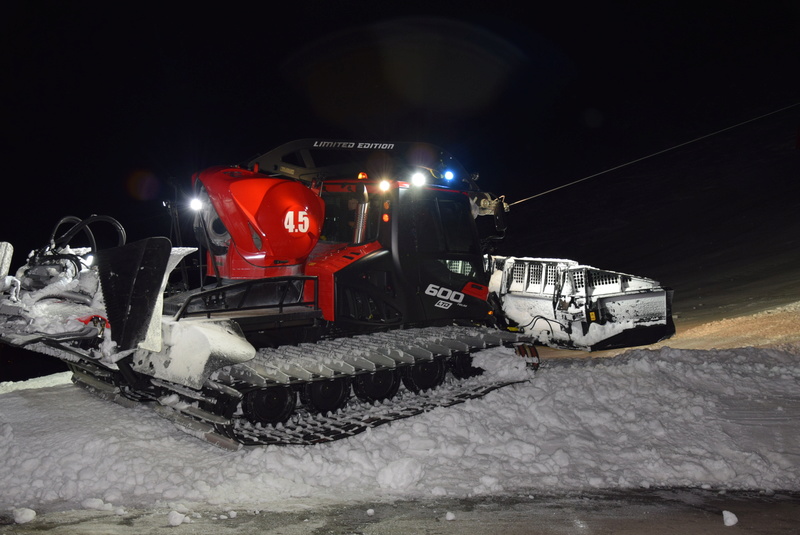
{"type": "Point", "coordinates": [219, 413]}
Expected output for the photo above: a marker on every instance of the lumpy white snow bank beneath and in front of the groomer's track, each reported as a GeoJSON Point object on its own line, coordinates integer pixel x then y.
{"type": "Point", "coordinates": [719, 419]}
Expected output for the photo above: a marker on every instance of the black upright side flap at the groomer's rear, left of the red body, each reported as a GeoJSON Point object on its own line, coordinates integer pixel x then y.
{"type": "Point", "coordinates": [131, 277]}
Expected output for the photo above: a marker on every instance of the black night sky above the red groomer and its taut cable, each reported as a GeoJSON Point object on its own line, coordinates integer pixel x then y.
{"type": "Point", "coordinates": [109, 108]}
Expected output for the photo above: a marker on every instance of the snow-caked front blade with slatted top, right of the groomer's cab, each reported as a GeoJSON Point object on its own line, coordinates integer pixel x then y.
{"type": "Point", "coordinates": [572, 306]}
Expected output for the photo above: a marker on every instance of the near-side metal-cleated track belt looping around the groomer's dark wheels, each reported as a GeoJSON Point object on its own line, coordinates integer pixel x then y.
{"type": "Point", "coordinates": [344, 359]}
